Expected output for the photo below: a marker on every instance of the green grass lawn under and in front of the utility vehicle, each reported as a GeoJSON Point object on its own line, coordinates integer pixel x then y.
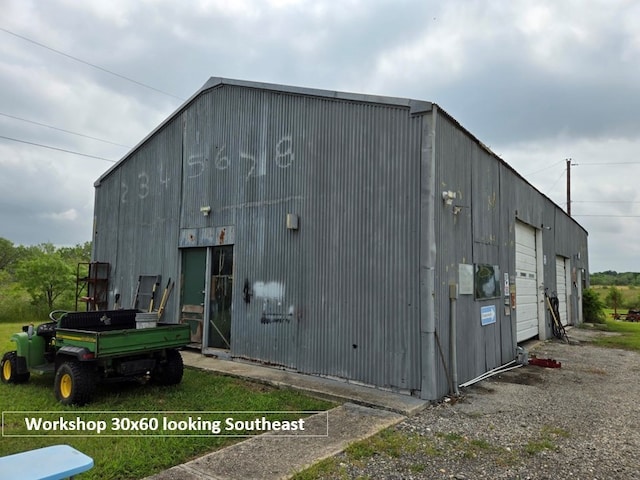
{"type": "Point", "coordinates": [123, 457]}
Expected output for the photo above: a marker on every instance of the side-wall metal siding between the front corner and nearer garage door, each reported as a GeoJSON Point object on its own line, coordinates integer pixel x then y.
{"type": "Point", "coordinates": [473, 235]}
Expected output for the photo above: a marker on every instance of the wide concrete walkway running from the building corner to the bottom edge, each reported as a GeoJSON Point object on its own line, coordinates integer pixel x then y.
{"type": "Point", "coordinates": [273, 456]}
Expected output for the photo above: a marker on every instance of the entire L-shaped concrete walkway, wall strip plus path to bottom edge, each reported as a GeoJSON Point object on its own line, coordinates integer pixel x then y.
{"type": "Point", "coordinates": [275, 456]}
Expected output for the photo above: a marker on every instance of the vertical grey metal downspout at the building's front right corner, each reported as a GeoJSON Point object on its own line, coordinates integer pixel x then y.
{"type": "Point", "coordinates": [429, 387]}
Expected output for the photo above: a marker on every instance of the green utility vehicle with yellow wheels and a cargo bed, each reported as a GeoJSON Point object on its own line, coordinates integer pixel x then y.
{"type": "Point", "coordinates": [86, 348]}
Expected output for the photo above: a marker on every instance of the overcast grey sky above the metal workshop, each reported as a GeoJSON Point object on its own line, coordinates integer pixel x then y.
{"type": "Point", "coordinates": [537, 81]}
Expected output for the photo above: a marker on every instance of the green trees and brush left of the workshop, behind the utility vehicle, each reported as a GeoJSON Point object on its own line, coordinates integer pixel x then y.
{"type": "Point", "coordinates": [37, 279]}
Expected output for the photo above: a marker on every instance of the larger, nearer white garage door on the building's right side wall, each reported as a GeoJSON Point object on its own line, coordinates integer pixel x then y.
{"type": "Point", "coordinates": [526, 283]}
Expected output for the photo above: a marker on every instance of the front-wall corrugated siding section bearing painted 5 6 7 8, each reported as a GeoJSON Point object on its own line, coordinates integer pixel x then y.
{"type": "Point", "coordinates": [350, 171]}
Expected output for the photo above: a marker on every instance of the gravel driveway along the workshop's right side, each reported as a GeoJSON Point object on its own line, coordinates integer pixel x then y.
{"type": "Point", "coordinates": [581, 421]}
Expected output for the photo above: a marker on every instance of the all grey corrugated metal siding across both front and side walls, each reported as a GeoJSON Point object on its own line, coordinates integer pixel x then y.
{"type": "Point", "coordinates": [340, 296]}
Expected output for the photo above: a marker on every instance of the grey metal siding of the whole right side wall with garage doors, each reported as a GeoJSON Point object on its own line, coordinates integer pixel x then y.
{"type": "Point", "coordinates": [491, 196]}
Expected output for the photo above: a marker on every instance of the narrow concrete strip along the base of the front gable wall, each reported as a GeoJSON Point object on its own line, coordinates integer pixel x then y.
{"type": "Point", "coordinates": [316, 386]}
